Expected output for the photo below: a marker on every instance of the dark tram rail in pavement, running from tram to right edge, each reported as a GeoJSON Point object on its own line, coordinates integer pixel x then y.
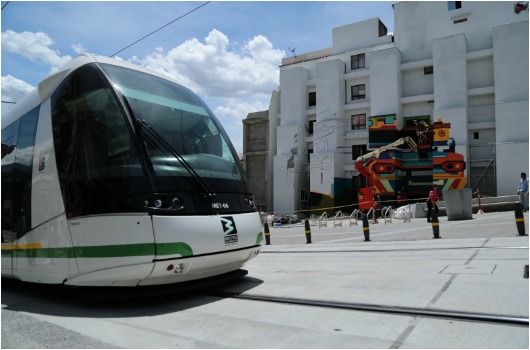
{"type": "Point", "coordinates": [393, 310]}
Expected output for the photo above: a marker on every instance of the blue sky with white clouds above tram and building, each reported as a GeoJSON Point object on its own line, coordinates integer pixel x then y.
{"type": "Point", "coordinates": [228, 52]}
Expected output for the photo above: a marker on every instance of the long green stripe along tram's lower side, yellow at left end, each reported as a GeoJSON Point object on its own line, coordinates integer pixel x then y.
{"type": "Point", "coordinates": [107, 251]}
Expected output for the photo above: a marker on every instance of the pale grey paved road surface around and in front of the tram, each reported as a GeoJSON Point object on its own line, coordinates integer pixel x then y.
{"type": "Point", "coordinates": [339, 292]}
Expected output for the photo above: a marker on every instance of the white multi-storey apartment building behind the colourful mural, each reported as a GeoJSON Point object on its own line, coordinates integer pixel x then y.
{"type": "Point", "coordinates": [464, 62]}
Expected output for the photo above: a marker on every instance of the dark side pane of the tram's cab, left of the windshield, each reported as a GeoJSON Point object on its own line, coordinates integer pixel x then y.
{"type": "Point", "coordinates": [97, 158]}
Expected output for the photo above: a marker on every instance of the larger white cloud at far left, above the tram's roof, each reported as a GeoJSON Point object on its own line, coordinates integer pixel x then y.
{"type": "Point", "coordinates": [35, 47]}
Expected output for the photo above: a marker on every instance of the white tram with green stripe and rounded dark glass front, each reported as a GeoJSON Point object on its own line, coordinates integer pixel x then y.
{"type": "Point", "coordinates": [115, 175]}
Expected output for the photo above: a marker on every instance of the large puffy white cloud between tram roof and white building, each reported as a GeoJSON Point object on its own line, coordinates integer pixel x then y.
{"type": "Point", "coordinates": [240, 79]}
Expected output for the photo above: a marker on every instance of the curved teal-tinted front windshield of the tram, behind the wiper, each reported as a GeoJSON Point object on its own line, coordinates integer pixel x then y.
{"type": "Point", "coordinates": [182, 120]}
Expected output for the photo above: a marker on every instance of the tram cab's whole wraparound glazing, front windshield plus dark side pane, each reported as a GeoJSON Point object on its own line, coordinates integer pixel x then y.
{"type": "Point", "coordinates": [105, 166]}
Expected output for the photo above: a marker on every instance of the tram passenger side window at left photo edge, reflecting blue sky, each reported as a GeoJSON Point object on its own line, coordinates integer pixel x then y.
{"type": "Point", "coordinates": [18, 142]}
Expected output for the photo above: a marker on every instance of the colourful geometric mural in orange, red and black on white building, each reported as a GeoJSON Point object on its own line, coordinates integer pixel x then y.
{"type": "Point", "coordinates": [395, 165]}
